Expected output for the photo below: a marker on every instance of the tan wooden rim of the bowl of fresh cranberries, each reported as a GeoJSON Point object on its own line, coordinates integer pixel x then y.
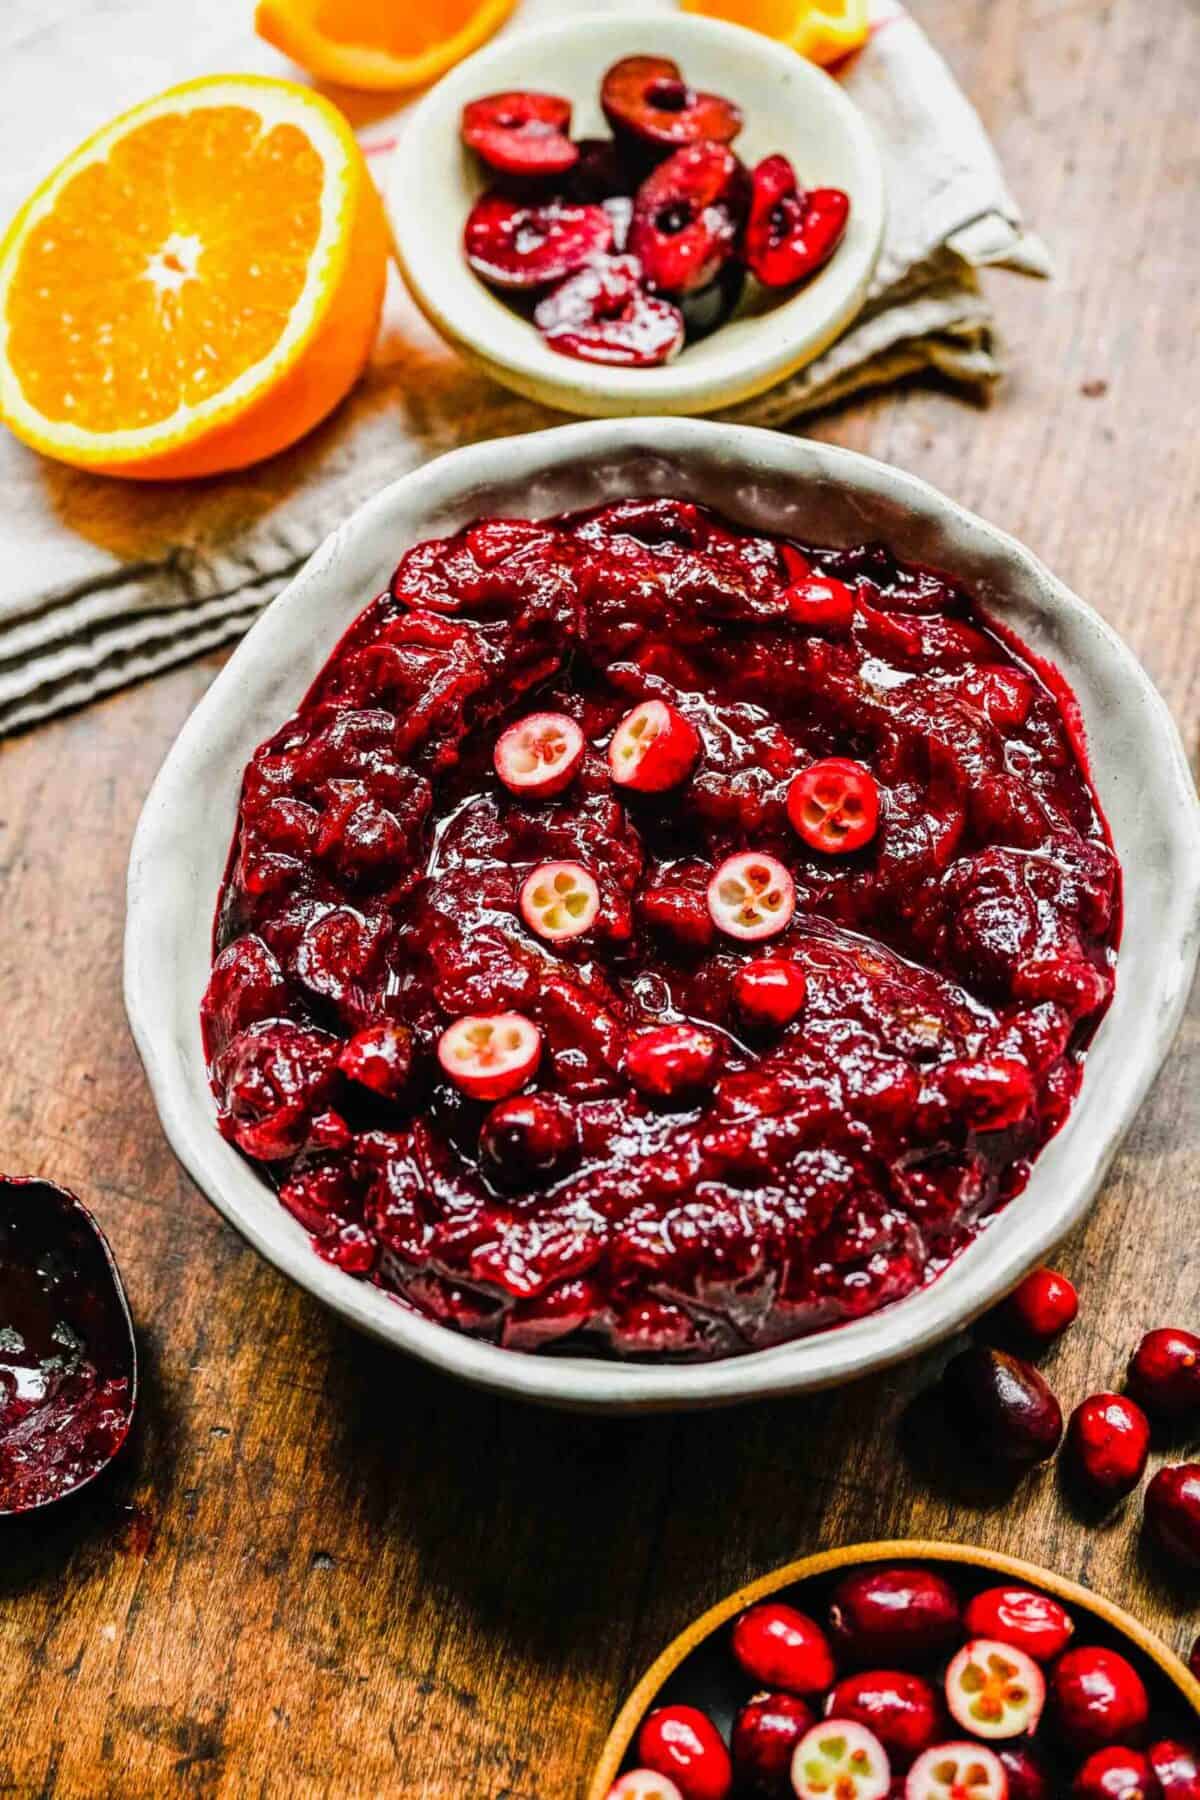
{"type": "Point", "coordinates": [879, 1551]}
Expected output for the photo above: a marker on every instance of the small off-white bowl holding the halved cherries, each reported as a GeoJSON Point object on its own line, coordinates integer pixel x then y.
{"type": "Point", "coordinates": [791, 107]}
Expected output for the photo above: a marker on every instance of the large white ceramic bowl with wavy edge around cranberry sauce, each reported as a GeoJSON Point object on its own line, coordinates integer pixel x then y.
{"type": "Point", "coordinates": [769, 481]}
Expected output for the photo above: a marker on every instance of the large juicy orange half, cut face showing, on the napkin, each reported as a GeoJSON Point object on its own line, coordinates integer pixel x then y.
{"type": "Point", "coordinates": [195, 287]}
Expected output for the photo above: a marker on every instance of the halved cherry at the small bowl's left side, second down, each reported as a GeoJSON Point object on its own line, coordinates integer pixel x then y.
{"type": "Point", "coordinates": [530, 247]}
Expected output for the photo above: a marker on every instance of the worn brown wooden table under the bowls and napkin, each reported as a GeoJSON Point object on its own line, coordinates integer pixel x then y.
{"type": "Point", "coordinates": [325, 1570]}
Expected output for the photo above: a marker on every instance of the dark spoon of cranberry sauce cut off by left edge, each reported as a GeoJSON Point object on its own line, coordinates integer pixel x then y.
{"type": "Point", "coordinates": [67, 1360]}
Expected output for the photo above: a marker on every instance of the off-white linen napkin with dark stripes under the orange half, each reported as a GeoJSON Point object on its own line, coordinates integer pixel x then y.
{"type": "Point", "coordinates": [103, 582]}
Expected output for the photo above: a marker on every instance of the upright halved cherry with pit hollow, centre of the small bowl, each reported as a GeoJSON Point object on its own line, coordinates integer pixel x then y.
{"type": "Point", "coordinates": [686, 219]}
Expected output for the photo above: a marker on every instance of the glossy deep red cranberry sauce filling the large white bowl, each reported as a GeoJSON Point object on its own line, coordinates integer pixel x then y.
{"type": "Point", "coordinates": [819, 1156]}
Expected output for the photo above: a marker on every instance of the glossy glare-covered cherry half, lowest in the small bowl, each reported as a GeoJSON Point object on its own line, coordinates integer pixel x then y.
{"type": "Point", "coordinates": [604, 314]}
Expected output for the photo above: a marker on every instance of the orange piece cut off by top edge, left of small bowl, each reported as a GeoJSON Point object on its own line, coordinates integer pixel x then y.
{"type": "Point", "coordinates": [379, 44]}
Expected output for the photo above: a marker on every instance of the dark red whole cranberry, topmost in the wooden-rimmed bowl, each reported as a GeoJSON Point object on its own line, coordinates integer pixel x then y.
{"type": "Point", "coordinates": [895, 1615]}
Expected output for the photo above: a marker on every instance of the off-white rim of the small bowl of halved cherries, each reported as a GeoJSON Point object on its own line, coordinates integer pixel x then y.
{"type": "Point", "coordinates": [766, 357]}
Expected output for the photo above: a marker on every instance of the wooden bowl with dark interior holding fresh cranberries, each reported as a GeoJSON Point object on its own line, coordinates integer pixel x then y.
{"type": "Point", "coordinates": [703, 1680]}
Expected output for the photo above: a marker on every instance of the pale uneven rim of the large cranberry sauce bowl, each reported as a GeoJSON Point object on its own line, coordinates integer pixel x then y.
{"type": "Point", "coordinates": [823, 1360]}
